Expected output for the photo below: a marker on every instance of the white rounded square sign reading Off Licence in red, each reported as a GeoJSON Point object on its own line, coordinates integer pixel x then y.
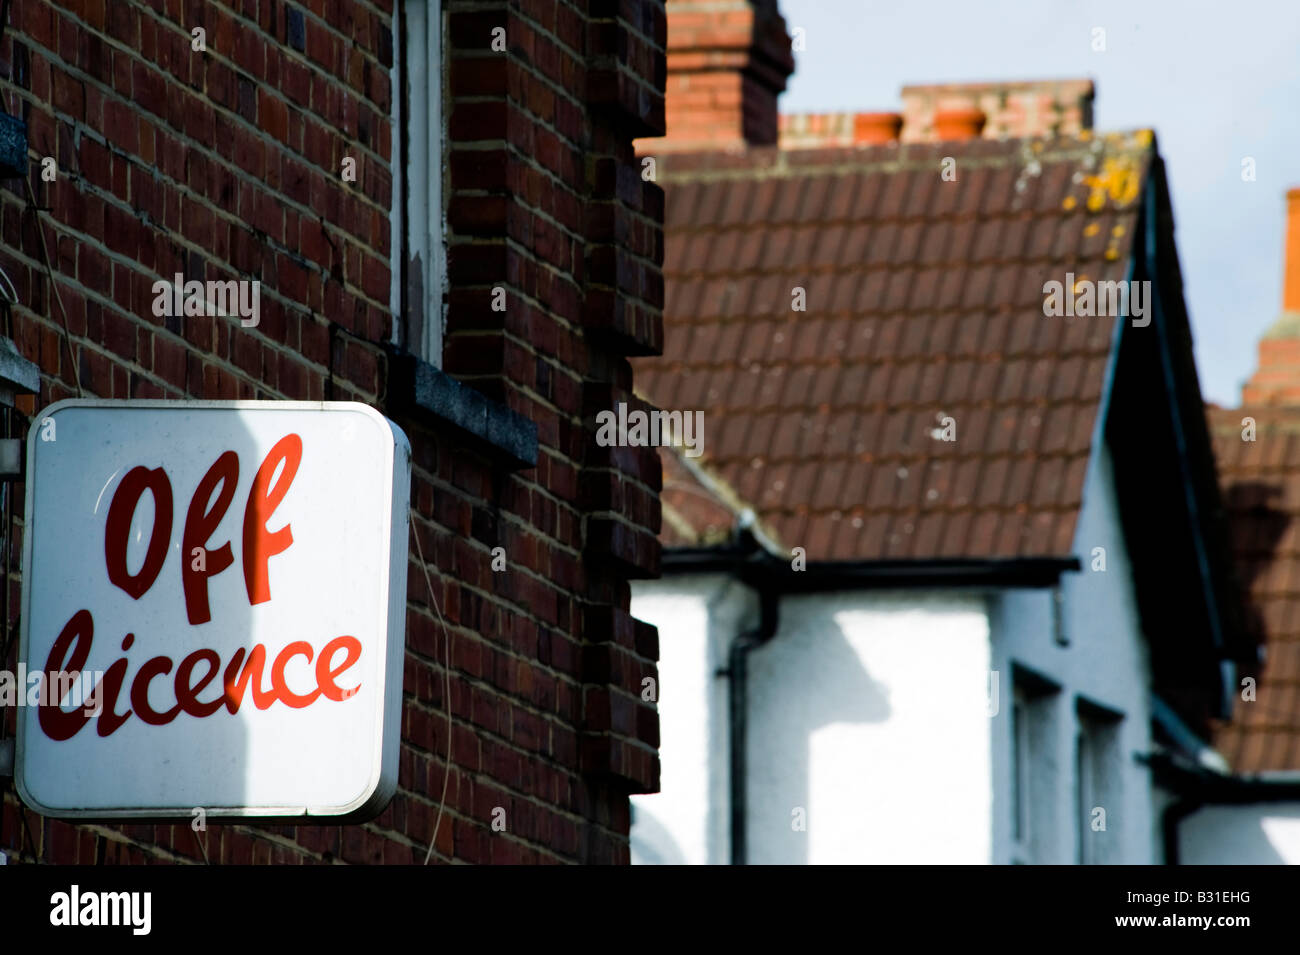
{"type": "Point", "coordinates": [213, 610]}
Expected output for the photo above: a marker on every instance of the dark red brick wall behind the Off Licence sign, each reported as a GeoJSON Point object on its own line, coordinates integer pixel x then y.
{"type": "Point", "coordinates": [227, 164]}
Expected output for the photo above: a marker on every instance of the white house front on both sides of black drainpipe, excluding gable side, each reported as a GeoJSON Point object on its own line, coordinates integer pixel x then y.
{"type": "Point", "coordinates": [868, 711]}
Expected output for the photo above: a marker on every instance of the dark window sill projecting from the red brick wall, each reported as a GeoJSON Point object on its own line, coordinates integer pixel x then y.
{"type": "Point", "coordinates": [419, 389]}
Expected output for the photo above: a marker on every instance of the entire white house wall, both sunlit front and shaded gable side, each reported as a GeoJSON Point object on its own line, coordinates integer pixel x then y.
{"type": "Point", "coordinates": [869, 713]}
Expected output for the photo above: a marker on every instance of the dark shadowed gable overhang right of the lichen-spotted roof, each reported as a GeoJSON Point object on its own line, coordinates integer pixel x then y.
{"type": "Point", "coordinates": [1155, 371]}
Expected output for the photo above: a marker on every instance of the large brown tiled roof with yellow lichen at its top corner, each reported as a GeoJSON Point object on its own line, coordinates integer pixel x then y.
{"type": "Point", "coordinates": [924, 303]}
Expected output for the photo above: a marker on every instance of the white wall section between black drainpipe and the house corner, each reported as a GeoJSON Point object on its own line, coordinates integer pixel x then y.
{"type": "Point", "coordinates": [868, 711]}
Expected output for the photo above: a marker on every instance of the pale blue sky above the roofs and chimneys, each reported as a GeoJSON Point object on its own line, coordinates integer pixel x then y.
{"type": "Point", "coordinates": [1217, 83]}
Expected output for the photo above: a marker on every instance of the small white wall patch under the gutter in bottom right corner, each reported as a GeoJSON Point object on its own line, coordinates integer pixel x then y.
{"type": "Point", "coordinates": [1251, 835]}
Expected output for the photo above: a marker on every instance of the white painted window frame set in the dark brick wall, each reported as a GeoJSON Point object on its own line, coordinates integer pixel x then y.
{"type": "Point", "coordinates": [419, 222]}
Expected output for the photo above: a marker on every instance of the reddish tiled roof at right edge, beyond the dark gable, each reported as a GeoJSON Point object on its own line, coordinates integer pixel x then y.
{"type": "Point", "coordinates": [1262, 493]}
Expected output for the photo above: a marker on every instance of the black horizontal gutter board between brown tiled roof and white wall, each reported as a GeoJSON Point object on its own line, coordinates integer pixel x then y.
{"type": "Point", "coordinates": [765, 570]}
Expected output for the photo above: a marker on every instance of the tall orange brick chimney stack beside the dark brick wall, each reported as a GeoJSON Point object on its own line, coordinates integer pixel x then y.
{"type": "Point", "coordinates": [729, 60]}
